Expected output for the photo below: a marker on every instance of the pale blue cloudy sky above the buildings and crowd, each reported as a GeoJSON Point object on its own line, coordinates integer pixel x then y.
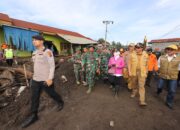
{"type": "Point", "coordinates": [133, 19]}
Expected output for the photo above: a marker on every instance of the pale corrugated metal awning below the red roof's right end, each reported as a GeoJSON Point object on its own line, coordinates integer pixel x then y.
{"type": "Point", "coordinates": [77, 40]}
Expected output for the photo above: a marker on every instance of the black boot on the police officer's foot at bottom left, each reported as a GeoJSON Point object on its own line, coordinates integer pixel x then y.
{"type": "Point", "coordinates": [30, 120]}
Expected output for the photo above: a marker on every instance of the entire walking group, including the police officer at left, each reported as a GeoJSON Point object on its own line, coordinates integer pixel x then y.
{"type": "Point", "coordinates": [116, 66]}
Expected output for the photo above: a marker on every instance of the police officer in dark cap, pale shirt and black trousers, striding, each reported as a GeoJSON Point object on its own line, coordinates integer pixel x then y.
{"type": "Point", "coordinates": [44, 67]}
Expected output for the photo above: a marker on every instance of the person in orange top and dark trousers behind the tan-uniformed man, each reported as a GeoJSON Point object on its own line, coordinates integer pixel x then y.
{"type": "Point", "coordinates": [152, 66]}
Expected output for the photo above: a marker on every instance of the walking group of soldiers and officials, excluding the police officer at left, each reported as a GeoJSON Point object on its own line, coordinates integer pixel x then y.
{"type": "Point", "coordinates": [135, 67]}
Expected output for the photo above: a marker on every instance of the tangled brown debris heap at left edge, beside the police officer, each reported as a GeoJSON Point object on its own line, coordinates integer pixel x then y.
{"type": "Point", "coordinates": [11, 80]}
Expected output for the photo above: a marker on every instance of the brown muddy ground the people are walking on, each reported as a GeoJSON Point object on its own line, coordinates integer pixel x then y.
{"type": "Point", "coordinates": [94, 111]}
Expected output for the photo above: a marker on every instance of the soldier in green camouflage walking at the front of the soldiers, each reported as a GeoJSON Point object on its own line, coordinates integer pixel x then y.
{"type": "Point", "coordinates": [91, 61]}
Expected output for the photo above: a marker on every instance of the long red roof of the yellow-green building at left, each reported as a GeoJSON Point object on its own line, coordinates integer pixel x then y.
{"type": "Point", "coordinates": [38, 27]}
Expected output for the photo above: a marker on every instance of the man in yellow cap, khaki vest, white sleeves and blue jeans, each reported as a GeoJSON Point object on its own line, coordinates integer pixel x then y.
{"type": "Point", "coordinates": [169, 65]}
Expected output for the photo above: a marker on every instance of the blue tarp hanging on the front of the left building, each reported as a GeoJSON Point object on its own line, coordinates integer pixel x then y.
{"type": "Point", "coordinates": [21, 38]}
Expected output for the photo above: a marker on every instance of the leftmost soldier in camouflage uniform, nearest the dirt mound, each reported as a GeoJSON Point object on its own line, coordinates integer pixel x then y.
{"type": "Point", "coordinates": [77, 64]}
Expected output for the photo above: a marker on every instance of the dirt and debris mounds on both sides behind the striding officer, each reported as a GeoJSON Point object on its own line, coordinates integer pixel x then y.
{"type": "Point", "coordinates": [15, 95]}
